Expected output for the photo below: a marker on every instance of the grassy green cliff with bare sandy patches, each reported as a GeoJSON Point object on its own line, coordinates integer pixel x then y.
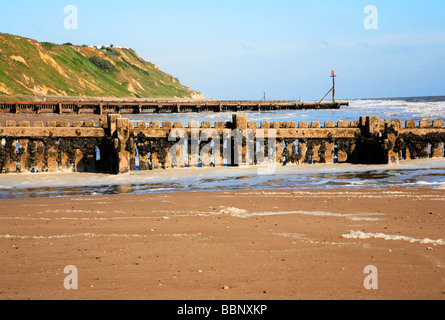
{"type": "Point", "coordinates": [28, 67]}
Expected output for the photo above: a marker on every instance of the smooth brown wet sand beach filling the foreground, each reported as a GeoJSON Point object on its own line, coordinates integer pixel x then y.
{"type": "Point", "coordinates": [244, 245]}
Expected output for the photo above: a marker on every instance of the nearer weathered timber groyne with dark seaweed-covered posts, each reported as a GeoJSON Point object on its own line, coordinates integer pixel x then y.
{"type": "Point", "coordinates": [117, 145]}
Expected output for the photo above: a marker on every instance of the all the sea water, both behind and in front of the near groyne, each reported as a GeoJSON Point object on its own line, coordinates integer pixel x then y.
{"type": "Point", "coordinates": [421, 173]}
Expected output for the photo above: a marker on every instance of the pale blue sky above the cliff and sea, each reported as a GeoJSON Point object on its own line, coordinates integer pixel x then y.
{"type": "Point", "coordinates": [235, 50]}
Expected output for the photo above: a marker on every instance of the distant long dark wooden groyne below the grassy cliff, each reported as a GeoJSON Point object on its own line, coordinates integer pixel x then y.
{"type": "Point", "coordinates": [157, 106]}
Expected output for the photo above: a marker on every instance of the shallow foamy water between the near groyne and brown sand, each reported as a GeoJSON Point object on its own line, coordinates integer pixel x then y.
{"type": "Point", "coordinates": [413, 173]}
